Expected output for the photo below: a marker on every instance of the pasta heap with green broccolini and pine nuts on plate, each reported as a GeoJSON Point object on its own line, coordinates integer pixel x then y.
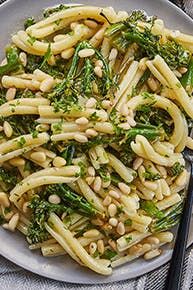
{"type": "Point", "coordinates": [95, 108]}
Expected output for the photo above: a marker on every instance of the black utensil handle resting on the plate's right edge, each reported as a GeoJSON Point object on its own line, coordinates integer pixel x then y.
{"type": "Point", "coordinates": [173, 279]}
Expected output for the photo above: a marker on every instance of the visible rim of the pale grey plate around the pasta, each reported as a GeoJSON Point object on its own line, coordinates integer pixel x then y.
{"type": "Point", "coordinates": [13, 246]}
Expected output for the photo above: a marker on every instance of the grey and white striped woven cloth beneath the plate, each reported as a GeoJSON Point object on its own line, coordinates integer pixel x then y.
{"type": "Point", "coordinates": [12, 277]}
